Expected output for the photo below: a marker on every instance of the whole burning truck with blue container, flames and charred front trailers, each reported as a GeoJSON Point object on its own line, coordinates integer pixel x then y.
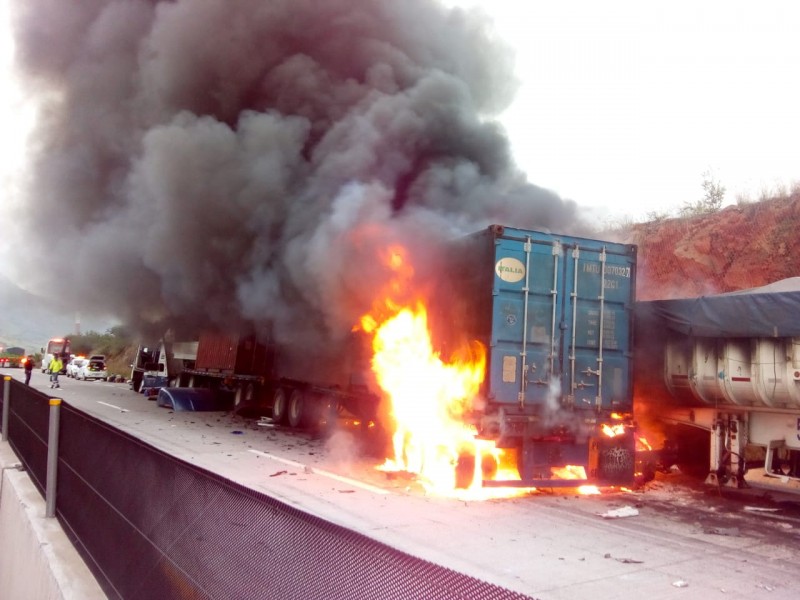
{"type": "Point", "coordinates": [513, 367]}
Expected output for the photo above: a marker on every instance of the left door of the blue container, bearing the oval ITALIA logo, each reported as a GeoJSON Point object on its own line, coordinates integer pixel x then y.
{"type": "Point", "coordinates": [526, 313]}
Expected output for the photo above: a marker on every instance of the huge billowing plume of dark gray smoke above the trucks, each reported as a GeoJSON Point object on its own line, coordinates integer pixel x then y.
{"type": "Point", "coordinates": [236, 162]}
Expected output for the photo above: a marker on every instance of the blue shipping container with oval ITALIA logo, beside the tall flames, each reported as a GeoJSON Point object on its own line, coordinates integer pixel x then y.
{"type": "Point", "coordinates": [554, 313]}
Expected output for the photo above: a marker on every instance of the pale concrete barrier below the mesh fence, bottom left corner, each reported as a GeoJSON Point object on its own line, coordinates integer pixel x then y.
{"type": "Point", "coordinates": [37, 560]}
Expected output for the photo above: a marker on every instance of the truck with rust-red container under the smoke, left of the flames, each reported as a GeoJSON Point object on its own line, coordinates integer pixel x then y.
{"type": "Point", "coordinates": [298, 386]}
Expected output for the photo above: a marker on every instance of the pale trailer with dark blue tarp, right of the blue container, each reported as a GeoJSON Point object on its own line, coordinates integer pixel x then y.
{"type": "Point", "coordinates": [729, 365]}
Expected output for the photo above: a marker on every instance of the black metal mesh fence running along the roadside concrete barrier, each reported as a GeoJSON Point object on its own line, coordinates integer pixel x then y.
{"type": "Point", "coordinates": [151, 526]}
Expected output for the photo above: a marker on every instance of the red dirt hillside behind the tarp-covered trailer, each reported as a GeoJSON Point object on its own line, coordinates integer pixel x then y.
{"type": "Point", "coordinates": [735, 248]}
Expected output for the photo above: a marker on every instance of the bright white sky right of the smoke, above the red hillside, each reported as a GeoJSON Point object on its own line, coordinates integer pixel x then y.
{"type": "Point", "coordinates": [625, 105]}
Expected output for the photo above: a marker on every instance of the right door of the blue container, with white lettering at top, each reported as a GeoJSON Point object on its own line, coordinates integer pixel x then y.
{"type": "Point", "coordinates": [597, 332]}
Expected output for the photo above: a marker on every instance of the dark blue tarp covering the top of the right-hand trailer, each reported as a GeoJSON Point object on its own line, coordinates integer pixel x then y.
{"type": "Point", "coordinates": [769, 311]}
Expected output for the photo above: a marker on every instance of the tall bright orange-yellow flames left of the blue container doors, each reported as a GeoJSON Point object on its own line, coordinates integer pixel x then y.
{"type": "Point", "coordinates": [429, 397]}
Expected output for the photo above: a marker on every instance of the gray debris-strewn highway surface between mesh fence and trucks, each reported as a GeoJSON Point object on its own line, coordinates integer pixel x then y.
{"type": "Point", "coordinates": [680, 540]}
